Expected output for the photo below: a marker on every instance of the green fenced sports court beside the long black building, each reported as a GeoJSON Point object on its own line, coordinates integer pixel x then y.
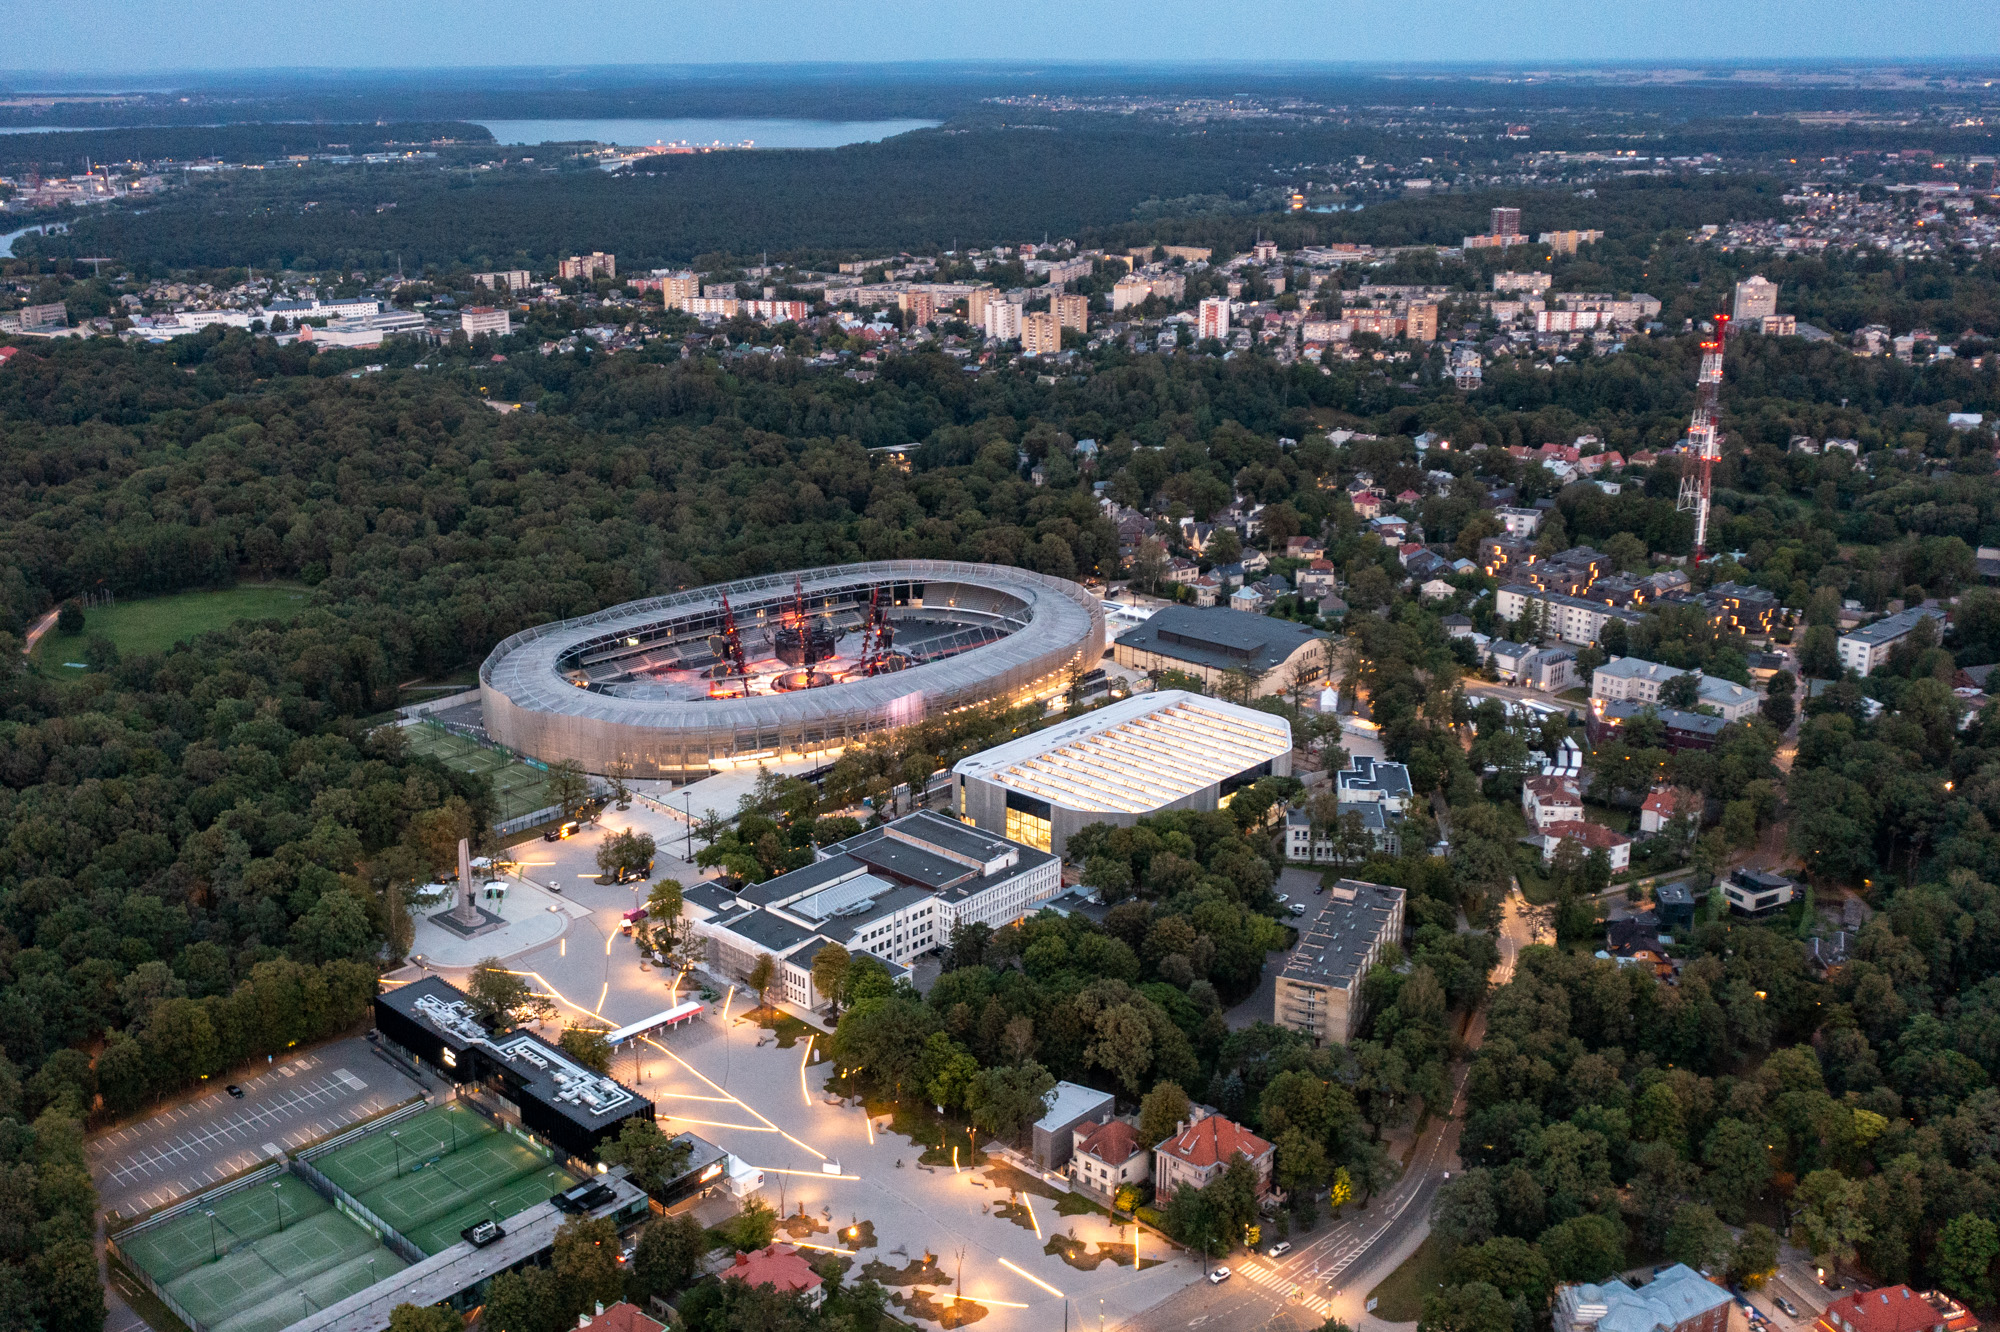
{"type": "Point", "coordinates": [441, 1171]}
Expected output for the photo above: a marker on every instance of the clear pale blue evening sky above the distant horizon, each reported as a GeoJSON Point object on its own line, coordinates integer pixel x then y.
{"type": "Point", "coordinates": [235, 35]}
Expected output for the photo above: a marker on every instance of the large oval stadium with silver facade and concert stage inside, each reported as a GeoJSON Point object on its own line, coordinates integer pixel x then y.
{"type": "Point", "coordinates": [785, 665]}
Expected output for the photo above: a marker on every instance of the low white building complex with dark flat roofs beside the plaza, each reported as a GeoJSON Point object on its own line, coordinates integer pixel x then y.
{"type": "Point", "coordinates": [891, 893]}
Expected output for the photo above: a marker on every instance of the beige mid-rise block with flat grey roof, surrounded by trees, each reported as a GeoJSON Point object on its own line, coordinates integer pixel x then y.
{"type": "Point", "coordinates": [1321, 985]}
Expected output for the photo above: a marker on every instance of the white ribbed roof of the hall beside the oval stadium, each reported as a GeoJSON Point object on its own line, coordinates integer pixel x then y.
{"type": "Point", "coordinates": [1139, 755]}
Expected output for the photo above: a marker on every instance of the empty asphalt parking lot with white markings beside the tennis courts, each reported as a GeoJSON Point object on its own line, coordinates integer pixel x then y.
{"type": "Point", "coordinates": [285, 1105]}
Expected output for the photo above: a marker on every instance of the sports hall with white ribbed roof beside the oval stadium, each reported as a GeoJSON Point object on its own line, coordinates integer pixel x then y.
{"type": "Point", "coordinates": [1151, 753]}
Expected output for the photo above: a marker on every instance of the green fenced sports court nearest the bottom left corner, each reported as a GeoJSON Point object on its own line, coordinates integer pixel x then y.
{"type": "Point", "coordinates": [261, 1259]}
